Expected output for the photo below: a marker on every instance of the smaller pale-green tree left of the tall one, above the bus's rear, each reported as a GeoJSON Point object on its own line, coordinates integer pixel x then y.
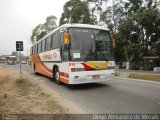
{"type": "Point", "coordinates": [42, 29]}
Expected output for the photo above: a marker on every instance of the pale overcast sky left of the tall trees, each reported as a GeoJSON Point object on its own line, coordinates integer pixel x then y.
{"type": "Point", "coordinates": [19, 17]}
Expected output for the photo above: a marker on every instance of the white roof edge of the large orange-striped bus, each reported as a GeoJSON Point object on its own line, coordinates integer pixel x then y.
{"type": "Point", "coordinates": [74, 25]}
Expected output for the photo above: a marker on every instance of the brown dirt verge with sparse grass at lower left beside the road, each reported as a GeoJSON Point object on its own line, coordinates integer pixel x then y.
{"type": "Point", "coordinates": [23, 97]}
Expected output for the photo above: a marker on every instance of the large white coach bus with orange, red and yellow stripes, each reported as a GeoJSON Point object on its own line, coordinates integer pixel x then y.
{"type": "Point", "coordinates": [75, 54]}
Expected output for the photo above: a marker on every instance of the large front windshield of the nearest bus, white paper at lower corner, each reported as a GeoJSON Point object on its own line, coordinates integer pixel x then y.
{"type": "Point", "coordinates": [90, 45]}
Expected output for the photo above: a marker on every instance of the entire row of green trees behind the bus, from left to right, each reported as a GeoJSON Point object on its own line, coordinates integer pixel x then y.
{"type": "Point", "coordinates": [134, 23]}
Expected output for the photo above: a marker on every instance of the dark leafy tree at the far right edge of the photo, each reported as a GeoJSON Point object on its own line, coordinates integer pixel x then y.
{"type": "Point", "coordinates": [149, 22]}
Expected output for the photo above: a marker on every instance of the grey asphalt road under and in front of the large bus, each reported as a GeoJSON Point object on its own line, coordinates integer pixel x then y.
{"type": "Point", "coordinates": [115, 96]}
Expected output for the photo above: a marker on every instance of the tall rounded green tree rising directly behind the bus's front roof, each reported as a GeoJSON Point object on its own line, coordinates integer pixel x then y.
{"type": "Point", "coordinates": [76, 11]}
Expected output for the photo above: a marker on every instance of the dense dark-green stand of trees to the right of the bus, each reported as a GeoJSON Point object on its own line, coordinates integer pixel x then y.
{"type": "Point", "coordinates": [136, 25]}
